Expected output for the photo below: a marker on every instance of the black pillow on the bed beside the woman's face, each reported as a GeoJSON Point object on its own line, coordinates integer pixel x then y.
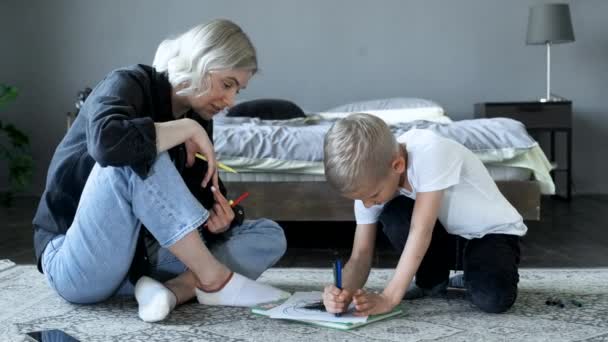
{"type": "Point", "coordinates": [267, 109]}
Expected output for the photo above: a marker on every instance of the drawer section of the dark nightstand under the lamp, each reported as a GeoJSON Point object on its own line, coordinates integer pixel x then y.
{"type": "Point", "coordinates": [531, 114]}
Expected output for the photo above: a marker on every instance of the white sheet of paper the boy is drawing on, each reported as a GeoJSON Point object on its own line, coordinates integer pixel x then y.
{"type": "Point", "coordinates": [293, 308]}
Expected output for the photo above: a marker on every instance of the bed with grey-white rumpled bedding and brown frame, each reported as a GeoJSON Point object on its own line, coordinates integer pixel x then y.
{"type": "Point", "coordinates": [279, 162]}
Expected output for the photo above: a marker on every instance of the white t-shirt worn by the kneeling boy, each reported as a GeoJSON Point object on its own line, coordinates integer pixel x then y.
{"type": "Point", "coordinates": [472, 206]}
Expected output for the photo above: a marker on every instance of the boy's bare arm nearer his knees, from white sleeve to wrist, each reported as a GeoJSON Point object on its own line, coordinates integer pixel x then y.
{"type": "Point", "coordinates": [424, 216]}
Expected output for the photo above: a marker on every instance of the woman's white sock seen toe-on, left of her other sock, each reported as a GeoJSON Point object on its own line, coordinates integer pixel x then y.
{"type": "Point", "coordinates": [154, 299]}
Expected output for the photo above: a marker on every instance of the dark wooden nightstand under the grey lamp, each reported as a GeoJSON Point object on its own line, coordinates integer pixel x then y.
{"type": "Point", "coordinates": [539, 117]}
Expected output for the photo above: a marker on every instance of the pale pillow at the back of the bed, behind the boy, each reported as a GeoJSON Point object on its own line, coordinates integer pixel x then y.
{"type": "Point", "coordinates": [381, 104]}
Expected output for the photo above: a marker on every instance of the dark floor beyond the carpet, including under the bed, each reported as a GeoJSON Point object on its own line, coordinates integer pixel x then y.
{"type": "Point", "coordinates": [570, 234]}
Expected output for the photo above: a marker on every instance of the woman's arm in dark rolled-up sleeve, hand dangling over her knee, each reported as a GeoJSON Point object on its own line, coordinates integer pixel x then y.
{"type": "Point", "coordinates": [121, 130]}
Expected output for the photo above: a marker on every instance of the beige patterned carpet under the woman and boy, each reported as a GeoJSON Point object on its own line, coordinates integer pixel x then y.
{"type": "Point", "coordinates": [27, 303]}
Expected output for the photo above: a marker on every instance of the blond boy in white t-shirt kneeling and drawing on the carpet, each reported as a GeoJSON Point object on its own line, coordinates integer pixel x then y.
{"type": "Point", "coordinates": [437, 204]}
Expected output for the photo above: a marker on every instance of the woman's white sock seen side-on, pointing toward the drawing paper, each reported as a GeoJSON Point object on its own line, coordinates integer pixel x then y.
{"type": "Point", "coordinates": [241, 291]}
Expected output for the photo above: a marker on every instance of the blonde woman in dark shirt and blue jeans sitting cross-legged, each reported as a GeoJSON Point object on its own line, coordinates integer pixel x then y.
{"type": "Point", "coordinates": [120, 215]}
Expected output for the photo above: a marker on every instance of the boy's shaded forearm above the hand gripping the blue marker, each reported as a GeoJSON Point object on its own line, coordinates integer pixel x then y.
{"type": "Point", "coordinates": [357, 268]}
